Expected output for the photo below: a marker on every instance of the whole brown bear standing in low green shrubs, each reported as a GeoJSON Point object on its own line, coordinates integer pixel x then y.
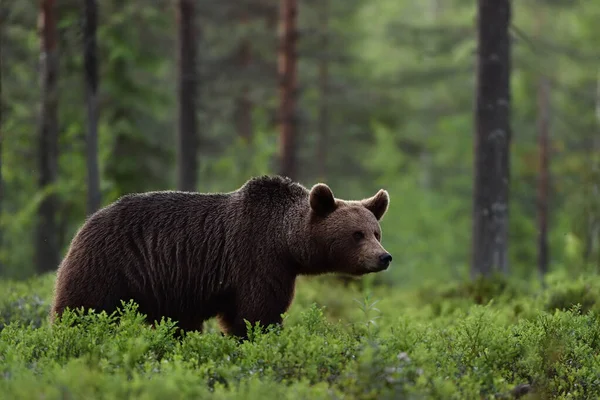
{"type": "Point", "coordinates": [235, 256]}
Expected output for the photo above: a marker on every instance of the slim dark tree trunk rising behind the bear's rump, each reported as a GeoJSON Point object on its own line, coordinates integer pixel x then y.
{"type": "Point", "coordinates": [91, 81]}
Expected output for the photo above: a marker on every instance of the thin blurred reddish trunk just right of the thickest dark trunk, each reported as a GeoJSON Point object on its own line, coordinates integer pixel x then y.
{"type": "Point", "coordinates": [544, 174]}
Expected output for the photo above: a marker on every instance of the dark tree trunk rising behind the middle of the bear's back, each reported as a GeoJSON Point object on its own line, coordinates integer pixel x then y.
{"type": "Point", "coordinates": [187, 146]}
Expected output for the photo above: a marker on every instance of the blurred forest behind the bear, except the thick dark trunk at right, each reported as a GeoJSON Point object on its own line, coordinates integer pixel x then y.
{"type": "Point", "coordinates": [383, 96]}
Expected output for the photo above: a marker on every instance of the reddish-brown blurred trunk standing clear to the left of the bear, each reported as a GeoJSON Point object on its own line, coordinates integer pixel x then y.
{"type": "Point", "coordinates": [47, 251]}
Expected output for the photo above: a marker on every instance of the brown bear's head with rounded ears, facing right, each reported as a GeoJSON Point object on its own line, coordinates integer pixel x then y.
{"type": "Point", "coordinates": [347, 234]}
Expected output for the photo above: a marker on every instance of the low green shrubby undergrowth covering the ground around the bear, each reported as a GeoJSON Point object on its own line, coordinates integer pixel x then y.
{"type": "Point", "coordinates": [481, 339]}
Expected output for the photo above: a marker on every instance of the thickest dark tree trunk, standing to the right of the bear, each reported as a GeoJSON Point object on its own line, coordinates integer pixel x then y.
{"type": "Point", "coordinates": [492, 139]}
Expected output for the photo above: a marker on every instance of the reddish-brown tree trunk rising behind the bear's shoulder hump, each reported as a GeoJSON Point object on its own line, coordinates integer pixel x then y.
{"type": "Point", "coordinates": [287, 88]}
